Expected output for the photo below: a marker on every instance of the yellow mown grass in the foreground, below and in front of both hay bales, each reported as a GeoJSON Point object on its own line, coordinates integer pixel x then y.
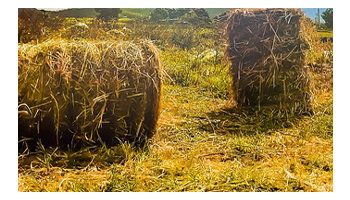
{"type": "Point", "coordinates": [201, 145]}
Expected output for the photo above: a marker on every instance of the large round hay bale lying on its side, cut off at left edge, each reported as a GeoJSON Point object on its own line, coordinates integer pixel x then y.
{"type": "Point", "coordinates": [81, 92]}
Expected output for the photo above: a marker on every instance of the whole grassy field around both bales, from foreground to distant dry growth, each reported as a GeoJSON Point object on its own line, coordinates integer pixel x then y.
{"type": "Point", "coordinates": [202, 143]}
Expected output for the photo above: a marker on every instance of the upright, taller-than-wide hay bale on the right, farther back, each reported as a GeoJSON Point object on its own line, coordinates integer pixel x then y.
{"type": "Point", "coordinates": [266, 48]}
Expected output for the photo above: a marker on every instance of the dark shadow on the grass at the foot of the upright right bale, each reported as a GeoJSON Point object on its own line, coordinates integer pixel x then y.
{"type": "Point", "coordinates": [245, 121]}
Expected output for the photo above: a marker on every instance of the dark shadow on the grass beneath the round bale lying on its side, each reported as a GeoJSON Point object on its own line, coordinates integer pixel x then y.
{"type": "Point", "coordinates": [88, 158]}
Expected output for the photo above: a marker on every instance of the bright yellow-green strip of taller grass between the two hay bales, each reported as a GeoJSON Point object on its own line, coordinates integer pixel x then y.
{"type": "Point", "coordinates": [201, 69]}
